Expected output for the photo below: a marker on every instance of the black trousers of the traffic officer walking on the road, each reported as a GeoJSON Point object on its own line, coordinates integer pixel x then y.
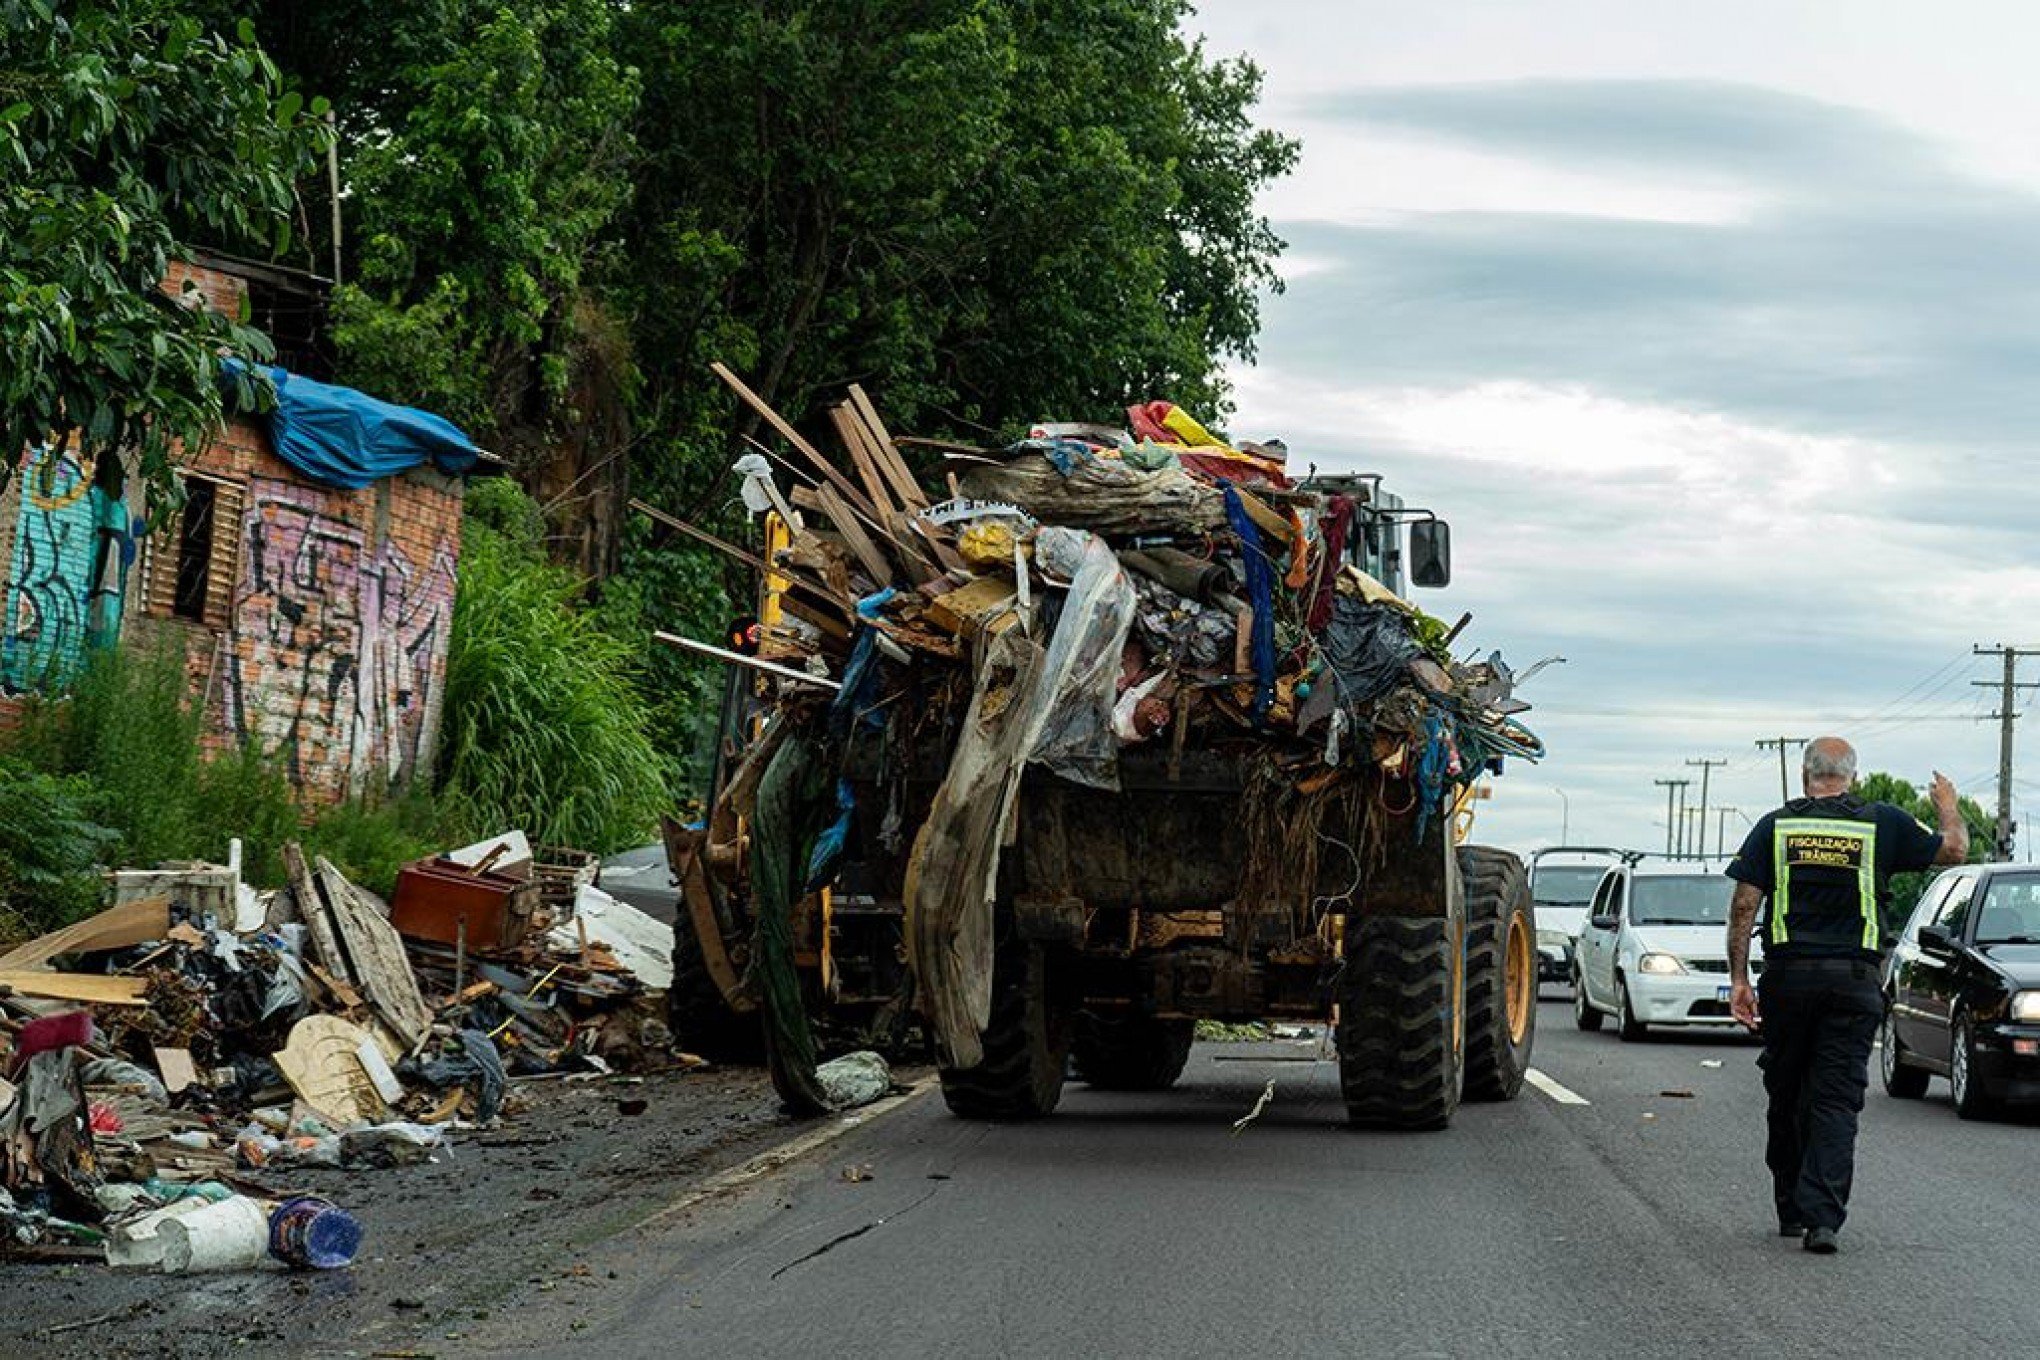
{"type": "Point", "coordinates": [1819, 1025]}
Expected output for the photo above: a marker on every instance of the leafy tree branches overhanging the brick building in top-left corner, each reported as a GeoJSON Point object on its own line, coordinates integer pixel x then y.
{"type": "Point", "coordinates": [127, 134]}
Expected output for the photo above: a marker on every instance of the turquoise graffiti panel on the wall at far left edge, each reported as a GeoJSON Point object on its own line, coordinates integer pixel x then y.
{"type": "Point", "coordinates": [66, 574]}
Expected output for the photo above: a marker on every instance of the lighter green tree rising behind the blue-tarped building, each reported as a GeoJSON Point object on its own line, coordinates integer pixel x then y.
{"type": "Point", "coordinates": [482, 203]}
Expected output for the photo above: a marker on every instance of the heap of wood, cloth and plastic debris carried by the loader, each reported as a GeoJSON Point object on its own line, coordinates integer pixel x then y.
{"type": "Point", "coordinates": [1076, 596]}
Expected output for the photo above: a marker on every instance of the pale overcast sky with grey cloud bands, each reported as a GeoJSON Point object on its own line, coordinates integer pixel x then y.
{"type": "Point", "coordinates": [1713, 329]}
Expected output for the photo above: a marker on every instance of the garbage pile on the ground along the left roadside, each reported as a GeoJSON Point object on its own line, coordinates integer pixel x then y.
{"type": "Point", "coordinates": [158, 1055]}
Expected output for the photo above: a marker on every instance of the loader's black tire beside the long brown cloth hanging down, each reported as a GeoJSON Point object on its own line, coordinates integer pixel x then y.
{"type": "Point", "coordinates": [1027, 1043]}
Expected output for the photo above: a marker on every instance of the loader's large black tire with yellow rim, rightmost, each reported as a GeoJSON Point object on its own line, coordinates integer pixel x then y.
{"type": "Point", "coordinates": [1500, 974]}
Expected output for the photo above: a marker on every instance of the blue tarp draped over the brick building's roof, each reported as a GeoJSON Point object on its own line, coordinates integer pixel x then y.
{"type": "Point", "coordinates": [346, 439]}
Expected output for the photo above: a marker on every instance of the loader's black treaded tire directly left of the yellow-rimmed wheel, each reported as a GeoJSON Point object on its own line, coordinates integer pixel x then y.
{"type": "Point", "coordinates": [1400, 1008]}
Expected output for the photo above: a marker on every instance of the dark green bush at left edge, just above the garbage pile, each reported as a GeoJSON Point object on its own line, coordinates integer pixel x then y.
{"type": "Point", "coordinates": [50, 849]}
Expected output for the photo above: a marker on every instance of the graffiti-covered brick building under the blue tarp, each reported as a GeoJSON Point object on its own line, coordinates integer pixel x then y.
{"type": "Point", "coordinates": [313, 619]}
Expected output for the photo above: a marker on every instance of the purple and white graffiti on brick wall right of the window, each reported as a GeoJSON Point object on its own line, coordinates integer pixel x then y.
{"type": "Point", "coordinates": [338, 645]}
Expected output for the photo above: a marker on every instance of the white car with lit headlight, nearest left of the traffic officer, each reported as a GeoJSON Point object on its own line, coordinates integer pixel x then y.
{"type": "Point", "coordinates": [1655, 949]}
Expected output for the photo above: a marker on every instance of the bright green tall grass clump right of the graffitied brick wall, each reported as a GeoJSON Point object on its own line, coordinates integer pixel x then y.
{"type": "Point", "coordinates": [544, 725]}
